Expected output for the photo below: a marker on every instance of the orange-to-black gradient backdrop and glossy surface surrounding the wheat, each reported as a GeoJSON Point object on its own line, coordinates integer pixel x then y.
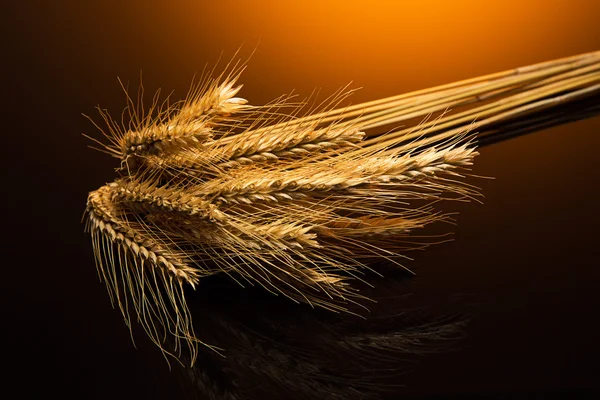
{"type": "Point", "coordinates": [522, 269]}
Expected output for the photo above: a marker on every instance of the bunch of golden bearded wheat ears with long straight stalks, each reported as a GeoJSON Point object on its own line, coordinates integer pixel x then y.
{"type": "Point", "coordinates": [299, 205]}
